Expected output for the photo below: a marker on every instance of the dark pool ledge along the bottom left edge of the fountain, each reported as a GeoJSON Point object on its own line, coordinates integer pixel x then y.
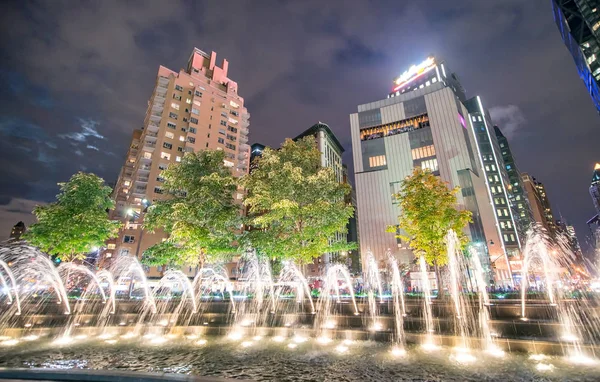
{"type": "Point", "coordinates": [98, 376]}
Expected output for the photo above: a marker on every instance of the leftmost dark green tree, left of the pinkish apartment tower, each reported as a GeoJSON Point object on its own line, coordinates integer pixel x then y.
{"type": "Point", "coordinates": [77, 222]}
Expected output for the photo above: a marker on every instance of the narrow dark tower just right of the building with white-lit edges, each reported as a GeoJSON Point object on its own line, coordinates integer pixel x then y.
{"type": "Point", "coordinates": [516, 190]}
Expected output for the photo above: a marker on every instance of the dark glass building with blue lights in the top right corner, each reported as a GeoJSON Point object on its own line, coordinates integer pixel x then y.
{"type": "Point", "coordinates": [578, 22]}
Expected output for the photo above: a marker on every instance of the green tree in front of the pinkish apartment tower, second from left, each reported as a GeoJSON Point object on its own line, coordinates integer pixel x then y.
{"type": "Point", "coordinates": [199, 215]}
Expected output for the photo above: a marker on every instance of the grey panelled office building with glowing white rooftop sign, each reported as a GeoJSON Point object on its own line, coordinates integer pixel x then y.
{"type": "Point", "coordinates": [424, 122]}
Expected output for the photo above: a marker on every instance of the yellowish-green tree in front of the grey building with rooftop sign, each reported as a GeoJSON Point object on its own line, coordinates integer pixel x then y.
{"type": "Point", "coordinates": [428, 210]}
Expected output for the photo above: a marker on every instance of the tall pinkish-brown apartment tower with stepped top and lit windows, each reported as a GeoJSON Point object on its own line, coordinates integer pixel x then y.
{"type": "Point", "coordinates": [194, 109]}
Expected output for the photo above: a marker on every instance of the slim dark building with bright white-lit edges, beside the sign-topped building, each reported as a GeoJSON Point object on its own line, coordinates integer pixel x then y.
{"type": "Point", "coordinates": [497, 180]}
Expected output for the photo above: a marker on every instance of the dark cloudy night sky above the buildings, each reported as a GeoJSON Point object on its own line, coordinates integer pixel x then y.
{"type": "Point", "coordinates": [75, 78]}
